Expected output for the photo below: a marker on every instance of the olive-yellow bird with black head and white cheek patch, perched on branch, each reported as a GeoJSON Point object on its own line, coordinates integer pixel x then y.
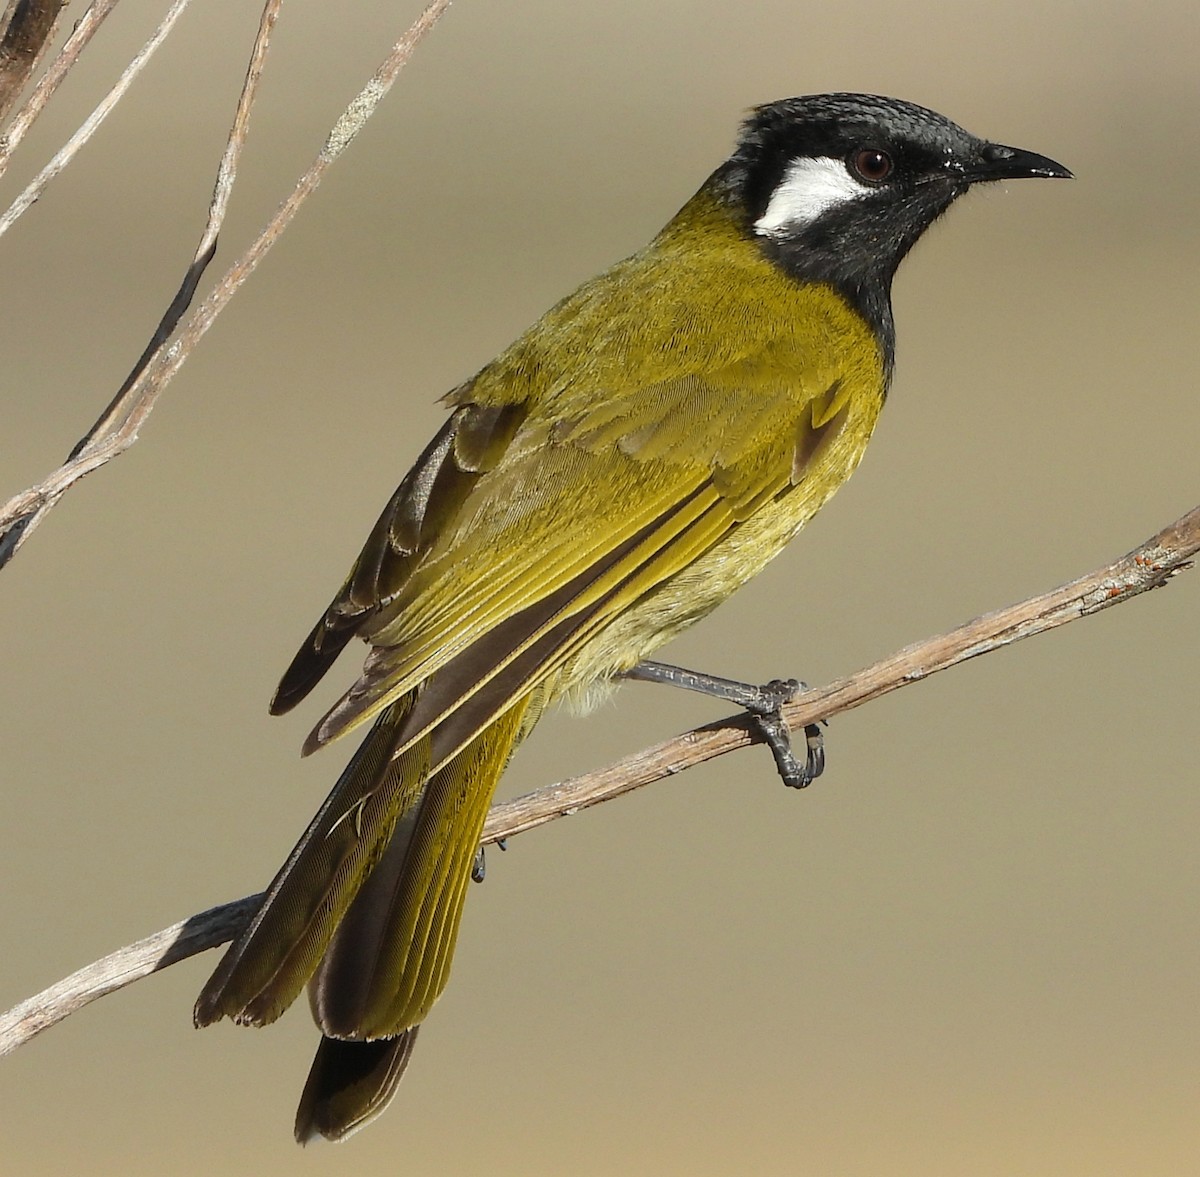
{"type": "Point", "coordinates": [641, 452]}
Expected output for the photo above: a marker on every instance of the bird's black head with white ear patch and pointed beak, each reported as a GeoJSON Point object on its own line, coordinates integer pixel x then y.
{"type": "Point", "coordinates": [837, 188]}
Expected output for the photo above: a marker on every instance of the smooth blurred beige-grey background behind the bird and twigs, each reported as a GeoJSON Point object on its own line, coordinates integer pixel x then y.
{"type": "Point", "coordinates": [970, 950]}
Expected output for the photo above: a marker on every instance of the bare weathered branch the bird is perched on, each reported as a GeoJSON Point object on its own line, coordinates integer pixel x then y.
{"type": "Point", "coordinates": [1145, 568]}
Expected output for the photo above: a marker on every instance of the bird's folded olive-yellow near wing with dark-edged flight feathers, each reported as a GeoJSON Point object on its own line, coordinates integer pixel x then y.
{"type": "Point", "coordinates": [584, 517]}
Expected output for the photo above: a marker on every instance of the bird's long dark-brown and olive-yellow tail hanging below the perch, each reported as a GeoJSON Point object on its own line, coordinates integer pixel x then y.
{"type": "Point", "coordinates": [368, 909]}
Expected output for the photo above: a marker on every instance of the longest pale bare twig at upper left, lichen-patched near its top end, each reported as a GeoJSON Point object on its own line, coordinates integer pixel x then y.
{"type": "Point", "coordinates": [23, 513]}
